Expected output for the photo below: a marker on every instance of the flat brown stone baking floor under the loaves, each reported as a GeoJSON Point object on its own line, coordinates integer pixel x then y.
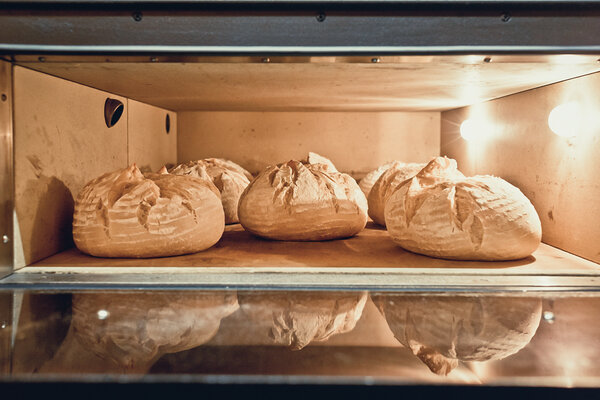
{"type": "Point", "coordinates": [368, 251]}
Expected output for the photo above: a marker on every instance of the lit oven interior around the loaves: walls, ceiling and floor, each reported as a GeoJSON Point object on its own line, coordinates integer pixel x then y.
{"type": "Point", "coordinates": [359, 111]}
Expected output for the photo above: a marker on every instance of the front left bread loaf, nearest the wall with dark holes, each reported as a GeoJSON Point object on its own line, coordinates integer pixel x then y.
{"type": "Point", "coordinates": [126, 214]}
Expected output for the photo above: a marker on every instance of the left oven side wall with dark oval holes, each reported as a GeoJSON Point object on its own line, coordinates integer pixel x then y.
{"type": "Point", "coordinates": [61, 143]}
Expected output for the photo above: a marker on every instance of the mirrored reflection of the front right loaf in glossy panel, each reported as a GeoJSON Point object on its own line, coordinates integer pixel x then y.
{"type": "Point", "coordinates": [441, 330]}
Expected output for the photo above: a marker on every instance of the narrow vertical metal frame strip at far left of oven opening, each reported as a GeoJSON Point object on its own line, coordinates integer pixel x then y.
{"type": "Point", "coordinates": [6, 170]}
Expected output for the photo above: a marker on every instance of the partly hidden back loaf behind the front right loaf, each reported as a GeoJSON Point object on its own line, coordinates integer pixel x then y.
{"type": "Point", "coordinates": [386, 185]}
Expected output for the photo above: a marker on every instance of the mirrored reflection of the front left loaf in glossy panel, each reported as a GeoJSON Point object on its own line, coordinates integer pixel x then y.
{"type": "Point", "coordinates": [137, 328]}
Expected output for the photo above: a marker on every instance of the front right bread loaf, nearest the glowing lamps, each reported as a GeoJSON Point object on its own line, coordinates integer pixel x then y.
{"type": "Point", "coordinates": [441, 213]}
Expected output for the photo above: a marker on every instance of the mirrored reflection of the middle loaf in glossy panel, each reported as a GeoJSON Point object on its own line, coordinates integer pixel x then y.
{"type": "Point", "coordinates": [297, 318]}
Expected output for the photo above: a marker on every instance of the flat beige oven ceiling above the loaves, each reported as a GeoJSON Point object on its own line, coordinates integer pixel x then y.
{"type": "Point", "coordinates": [407, 83]}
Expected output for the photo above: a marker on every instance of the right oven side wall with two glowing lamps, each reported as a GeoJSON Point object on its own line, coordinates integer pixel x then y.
{"type": "Point", "coordinates": [561, 176]}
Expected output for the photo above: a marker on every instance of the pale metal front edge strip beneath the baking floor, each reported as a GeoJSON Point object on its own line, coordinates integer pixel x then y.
{"type": "Point", "coordinates": [387, 281]}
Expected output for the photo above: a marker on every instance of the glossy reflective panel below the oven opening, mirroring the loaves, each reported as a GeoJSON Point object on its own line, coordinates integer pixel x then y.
{"type": "Point", "coordinates": [470, 338]}
